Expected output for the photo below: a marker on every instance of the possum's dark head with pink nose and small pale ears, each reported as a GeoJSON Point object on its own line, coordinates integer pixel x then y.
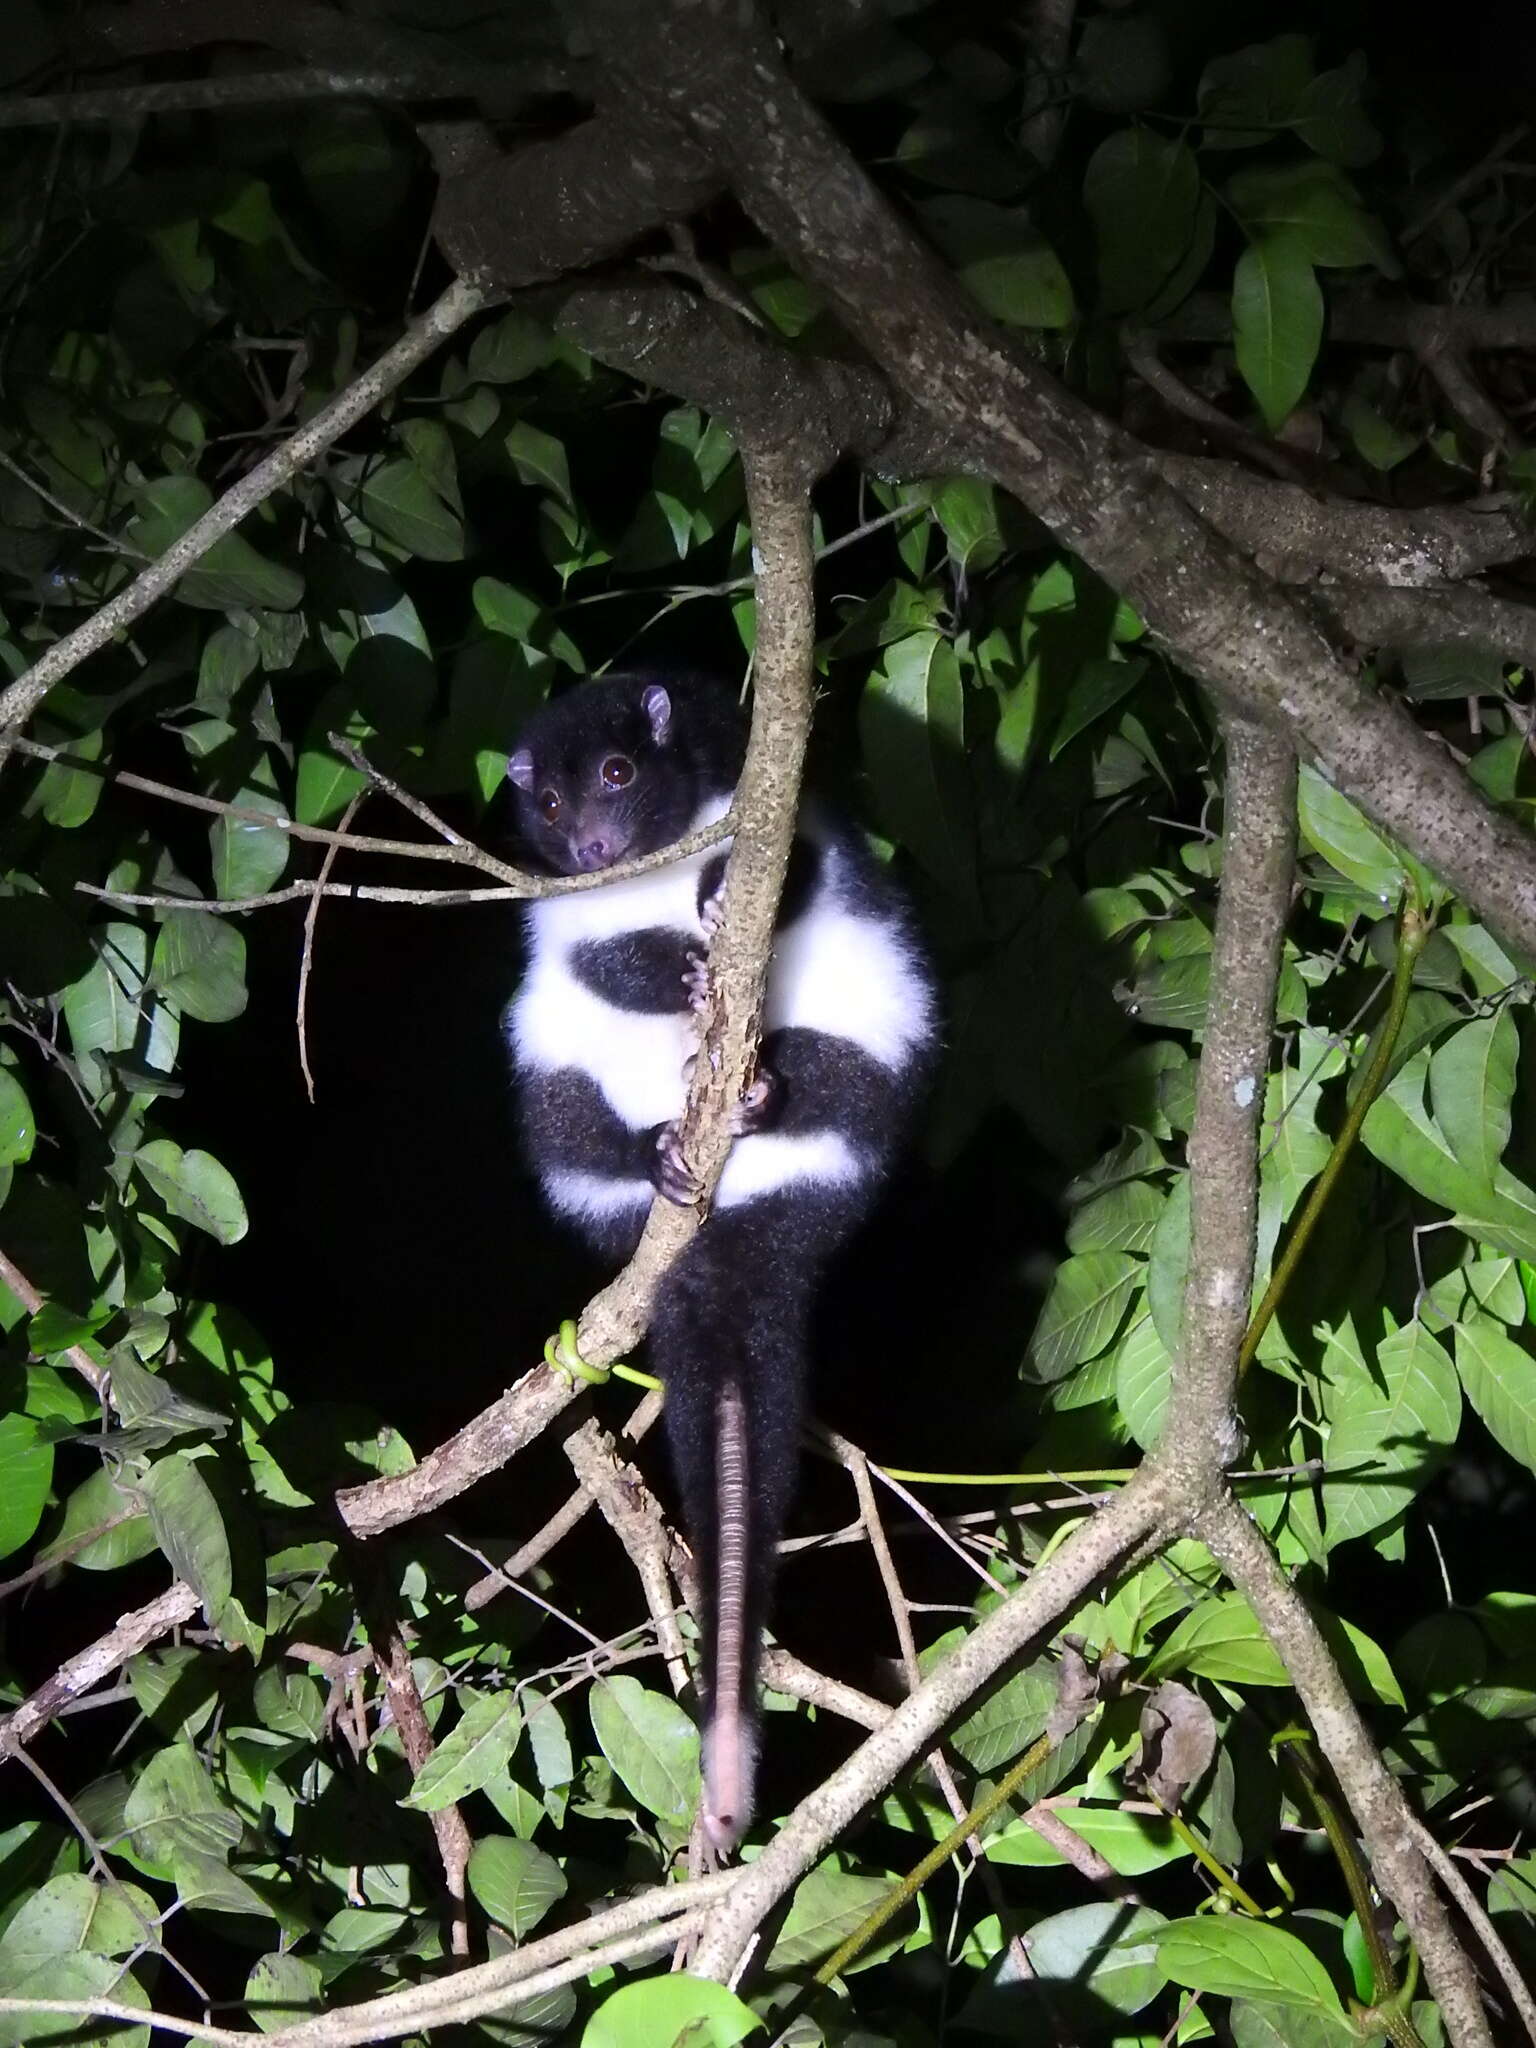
{"type": "Point", "coordinates": [617, 769]}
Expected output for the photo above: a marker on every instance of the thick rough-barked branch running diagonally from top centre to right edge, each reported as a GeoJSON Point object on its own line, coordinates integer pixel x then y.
{"type": "Point", "coordinates": [1207, 605]}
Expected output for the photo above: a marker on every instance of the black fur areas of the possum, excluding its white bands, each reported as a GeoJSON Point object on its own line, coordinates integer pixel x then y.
{"type": "Point", "coordinates": [734, 1310]}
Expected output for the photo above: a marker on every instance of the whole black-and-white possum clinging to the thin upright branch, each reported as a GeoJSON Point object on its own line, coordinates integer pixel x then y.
{"type": "Point", "coordinates": [603, 1031]}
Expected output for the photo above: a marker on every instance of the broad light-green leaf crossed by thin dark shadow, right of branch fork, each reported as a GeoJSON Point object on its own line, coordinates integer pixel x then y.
{"type": "Point", "coordinates": [1388, 1431]}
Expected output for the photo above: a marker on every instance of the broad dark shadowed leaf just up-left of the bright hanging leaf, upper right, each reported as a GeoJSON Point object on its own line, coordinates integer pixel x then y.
{"type": "Point", "coordinates": [1144, 198]}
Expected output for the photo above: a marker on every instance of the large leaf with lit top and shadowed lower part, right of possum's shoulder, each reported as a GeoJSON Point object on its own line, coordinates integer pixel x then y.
{"type": "Point", "coordinates": [912, 726]}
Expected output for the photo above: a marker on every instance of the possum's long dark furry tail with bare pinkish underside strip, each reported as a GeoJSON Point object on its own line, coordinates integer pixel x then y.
{"type": "Point", "coordinates": [730, 1340]}
